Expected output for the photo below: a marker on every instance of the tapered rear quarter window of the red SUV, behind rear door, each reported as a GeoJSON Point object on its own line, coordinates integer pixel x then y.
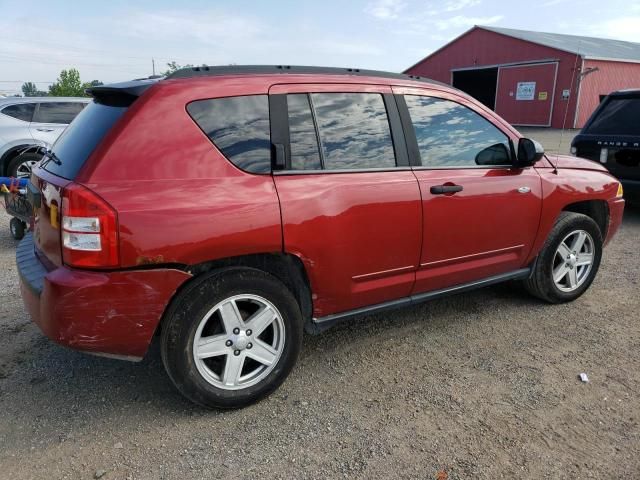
{"type": "Point", "coordinates": [239, 127]}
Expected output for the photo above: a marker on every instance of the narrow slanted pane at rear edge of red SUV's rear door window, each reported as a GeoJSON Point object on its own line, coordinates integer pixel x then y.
{"type": "Point", "coordinates": [302, 134]}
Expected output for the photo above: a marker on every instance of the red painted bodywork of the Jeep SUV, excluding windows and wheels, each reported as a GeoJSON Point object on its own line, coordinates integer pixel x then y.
{"type": "Point", "coordinates": [363, 238]}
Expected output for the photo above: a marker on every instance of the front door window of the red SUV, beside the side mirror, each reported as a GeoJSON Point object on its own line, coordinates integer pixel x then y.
{"type": "Point", "coordinates": [451, 135]}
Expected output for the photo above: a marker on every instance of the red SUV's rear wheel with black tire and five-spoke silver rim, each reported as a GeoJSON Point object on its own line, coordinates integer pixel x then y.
{"type": "Point", "coordinates": [231, 337]}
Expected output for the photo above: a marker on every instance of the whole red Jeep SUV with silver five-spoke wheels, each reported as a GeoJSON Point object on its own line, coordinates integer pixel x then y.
{"type": "Point", "coordinates": [231, 208]}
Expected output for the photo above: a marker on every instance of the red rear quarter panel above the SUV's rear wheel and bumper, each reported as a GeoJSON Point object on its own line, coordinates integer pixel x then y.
{"type": "Point", "coordinates": [179, 200]}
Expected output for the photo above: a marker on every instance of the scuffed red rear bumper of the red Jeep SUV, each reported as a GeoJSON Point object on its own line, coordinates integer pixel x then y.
{"type": "Point", "coordinates": [111, 313]}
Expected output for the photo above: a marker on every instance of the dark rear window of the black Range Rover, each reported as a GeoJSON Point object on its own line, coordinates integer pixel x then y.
{"type": "Point", "coordinates": [619, 116]}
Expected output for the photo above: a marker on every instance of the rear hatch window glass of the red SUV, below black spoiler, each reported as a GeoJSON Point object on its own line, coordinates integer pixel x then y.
{"type": "Point", "coordinates": [80, 138]}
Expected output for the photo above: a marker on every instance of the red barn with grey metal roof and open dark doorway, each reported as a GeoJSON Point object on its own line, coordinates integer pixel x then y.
{"type": "Point", "coordinates": [534, 78]}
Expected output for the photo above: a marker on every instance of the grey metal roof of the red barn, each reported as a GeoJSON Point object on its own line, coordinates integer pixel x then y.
{"type": "Point", "coordinates": [587, 47]}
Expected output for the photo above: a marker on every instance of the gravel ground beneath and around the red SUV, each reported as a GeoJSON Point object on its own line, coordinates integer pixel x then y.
{"type": "Point", "coordinates": [481, 385]}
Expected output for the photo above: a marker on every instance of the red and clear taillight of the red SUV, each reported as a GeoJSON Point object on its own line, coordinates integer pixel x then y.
{"type": "Point", "coordinates": [89, 229]}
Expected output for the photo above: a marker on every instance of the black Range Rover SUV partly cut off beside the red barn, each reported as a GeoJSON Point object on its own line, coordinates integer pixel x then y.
{"type": "Point", "coordinates": [611, 136]}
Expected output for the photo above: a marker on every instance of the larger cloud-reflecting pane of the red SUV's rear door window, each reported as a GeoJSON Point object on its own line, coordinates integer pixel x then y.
{"type": "Point", "coordinates": [354, 130]}
